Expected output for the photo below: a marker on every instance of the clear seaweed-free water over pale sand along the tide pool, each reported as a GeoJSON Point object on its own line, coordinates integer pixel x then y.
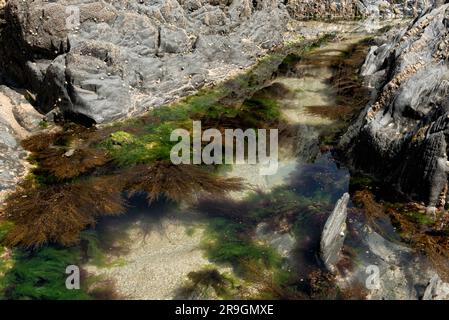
{"type": "Point", "coordinates": [160, 244]}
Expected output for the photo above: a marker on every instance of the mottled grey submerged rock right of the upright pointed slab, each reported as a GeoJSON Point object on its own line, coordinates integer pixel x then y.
{"type": "Point", "coordinates": [383, 266]}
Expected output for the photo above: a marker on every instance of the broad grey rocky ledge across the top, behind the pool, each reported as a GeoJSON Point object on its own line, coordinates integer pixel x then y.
{"type": "Point", "coordinates": [105, 60]}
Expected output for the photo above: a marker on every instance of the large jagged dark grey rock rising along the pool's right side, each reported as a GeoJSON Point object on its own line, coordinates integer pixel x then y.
{"type": "Point", "coordinates": [401, 136]}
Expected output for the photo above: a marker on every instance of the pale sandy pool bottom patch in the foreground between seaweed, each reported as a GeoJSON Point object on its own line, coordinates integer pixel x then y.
{"type": "Point", "coordinates": [158, 262]}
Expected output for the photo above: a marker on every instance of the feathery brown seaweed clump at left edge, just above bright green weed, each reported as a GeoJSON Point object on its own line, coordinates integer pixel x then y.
{"type": "Point", "coordinates": [58, 213]}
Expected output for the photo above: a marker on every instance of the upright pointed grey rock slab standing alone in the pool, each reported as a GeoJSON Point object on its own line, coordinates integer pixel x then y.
{"type": "Point", "coordinates": [332, 239]}
